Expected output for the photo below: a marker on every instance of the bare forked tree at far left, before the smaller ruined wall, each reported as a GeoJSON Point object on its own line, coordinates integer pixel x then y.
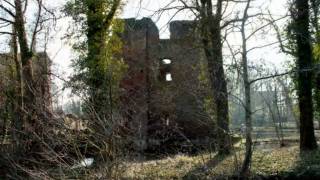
{"type": "Point", "coordinates": [14, 16]}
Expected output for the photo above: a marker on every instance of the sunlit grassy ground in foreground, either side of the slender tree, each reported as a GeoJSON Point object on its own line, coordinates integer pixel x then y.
{"type": "Point", "coordinates": [284, 162]}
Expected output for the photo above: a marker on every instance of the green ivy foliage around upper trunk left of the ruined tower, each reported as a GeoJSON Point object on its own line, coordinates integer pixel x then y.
{"type": "Point", "coordinates": [99, 68]}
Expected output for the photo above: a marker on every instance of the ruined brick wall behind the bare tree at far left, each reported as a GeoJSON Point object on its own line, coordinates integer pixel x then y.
{"type": "Point", "coordinates": [41, 64]}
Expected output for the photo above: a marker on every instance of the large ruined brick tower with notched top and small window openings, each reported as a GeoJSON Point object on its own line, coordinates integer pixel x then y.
{"type": "Point", "coordinates": [162, 99]}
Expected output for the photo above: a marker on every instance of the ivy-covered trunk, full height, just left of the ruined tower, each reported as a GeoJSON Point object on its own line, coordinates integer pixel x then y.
{"type": "Point", "coordinates": [99, 23]}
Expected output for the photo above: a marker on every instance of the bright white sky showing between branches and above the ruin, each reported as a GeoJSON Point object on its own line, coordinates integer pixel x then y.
{"type": "Point", "coordinates": [61, 52]}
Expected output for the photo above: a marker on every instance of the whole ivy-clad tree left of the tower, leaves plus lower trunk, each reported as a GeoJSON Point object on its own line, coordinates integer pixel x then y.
{"type": "Point", "coordinates": [99, 68]}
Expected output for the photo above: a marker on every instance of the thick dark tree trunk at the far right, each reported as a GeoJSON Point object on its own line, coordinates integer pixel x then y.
{"type": "Point", "coordinates": [304, 61]}
